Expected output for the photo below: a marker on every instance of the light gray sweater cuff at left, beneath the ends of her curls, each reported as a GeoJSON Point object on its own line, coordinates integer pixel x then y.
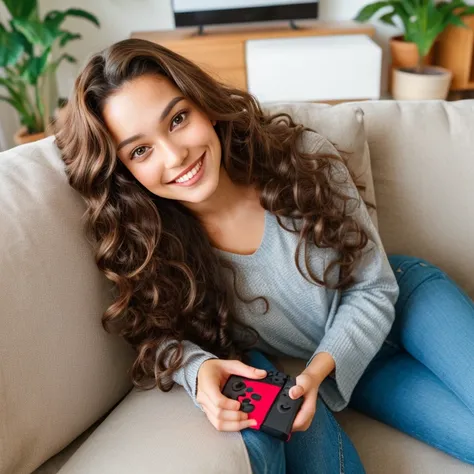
{"type": "Point", "coordinates": [186, 376]}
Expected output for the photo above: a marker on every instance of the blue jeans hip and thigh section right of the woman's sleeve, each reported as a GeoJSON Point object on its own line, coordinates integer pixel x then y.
{"type": "Point", "coordinates": [422, 382]}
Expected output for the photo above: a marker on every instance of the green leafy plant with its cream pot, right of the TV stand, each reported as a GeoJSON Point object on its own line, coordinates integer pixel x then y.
{"type": "Point", "coordinates": [423, 21]}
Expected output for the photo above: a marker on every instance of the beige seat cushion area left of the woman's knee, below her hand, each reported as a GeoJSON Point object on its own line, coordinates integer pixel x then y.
{"type": "Point", "coordinates": [156, 432]}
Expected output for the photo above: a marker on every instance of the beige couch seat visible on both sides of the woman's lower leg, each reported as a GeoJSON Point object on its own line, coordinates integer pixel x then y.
{"type": "Point", "coordinates": [142, 433]}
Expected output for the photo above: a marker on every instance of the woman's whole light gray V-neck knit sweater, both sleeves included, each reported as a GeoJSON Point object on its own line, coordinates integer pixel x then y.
{"type": "Point", "coordinates": [304, 319]}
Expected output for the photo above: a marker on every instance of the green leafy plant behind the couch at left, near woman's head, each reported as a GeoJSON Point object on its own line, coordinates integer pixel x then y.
{"type": "Point", "coordinates": [29, 58]}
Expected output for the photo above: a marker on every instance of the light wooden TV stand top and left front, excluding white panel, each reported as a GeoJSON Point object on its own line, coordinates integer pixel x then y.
{"type": "Point", "coordinates": [221, 50]}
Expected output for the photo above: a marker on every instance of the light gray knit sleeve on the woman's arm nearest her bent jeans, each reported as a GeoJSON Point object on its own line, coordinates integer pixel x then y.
{"type": "Point", "coordinates": [362, 319]}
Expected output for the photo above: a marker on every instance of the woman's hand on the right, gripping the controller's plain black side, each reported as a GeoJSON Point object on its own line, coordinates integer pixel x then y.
{"type": "Point", "coordinates": [307, 386]}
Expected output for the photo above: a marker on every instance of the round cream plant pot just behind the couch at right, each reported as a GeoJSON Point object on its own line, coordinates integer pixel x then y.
{"type": "Point", "coordinates": [432, 84]}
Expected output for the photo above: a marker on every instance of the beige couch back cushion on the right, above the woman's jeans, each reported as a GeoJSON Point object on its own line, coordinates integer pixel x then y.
{"type": "Point", "coordinates": [422, 156]}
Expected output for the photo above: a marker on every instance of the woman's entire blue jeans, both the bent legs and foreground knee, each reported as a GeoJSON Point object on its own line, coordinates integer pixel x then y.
{"type": "Point", "coordinates": [420, 382]}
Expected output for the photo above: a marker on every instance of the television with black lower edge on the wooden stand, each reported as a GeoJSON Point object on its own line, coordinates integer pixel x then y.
{"type": "Point", "coordinates": [213, 12]}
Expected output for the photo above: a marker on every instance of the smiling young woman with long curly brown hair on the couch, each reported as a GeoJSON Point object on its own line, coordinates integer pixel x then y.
{"type": "Point", "coordinates": [230, 235]}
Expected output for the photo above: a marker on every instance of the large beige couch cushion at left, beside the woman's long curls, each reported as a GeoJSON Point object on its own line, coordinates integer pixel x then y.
{"type": "Point", "coordinates": [59, 370]}
